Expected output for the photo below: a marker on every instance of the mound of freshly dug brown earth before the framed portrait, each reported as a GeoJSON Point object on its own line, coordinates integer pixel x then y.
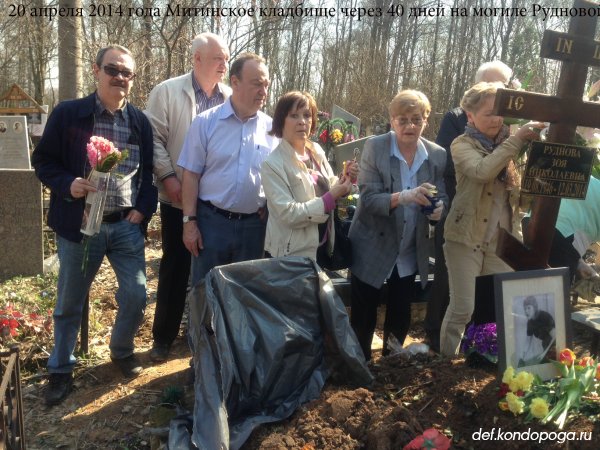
{"type": "Point", "coordinates": [407, 398]}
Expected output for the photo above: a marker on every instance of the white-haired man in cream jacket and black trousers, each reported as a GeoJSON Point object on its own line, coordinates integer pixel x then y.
{"type": "Point", "coordinates": [171, 107]}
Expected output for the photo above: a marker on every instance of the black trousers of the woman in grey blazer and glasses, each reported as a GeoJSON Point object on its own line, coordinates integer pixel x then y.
{"type": "Point", "coordinates": [363, 315]}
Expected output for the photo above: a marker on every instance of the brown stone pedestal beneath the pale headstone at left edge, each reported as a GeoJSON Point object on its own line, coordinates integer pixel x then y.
{"type": "Point", "coordinates": [20, 223]}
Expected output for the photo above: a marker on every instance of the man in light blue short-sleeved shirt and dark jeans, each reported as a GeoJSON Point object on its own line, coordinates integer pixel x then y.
{"type": "Point", "coordinates": [223, 202]}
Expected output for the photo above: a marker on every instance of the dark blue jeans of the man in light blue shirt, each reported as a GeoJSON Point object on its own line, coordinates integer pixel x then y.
{"type": "Point", "coordinates": [226, 241]}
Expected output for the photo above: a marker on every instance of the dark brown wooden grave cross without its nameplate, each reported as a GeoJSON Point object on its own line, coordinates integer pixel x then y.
{"type": "Point", "coordinates": [565, 111]}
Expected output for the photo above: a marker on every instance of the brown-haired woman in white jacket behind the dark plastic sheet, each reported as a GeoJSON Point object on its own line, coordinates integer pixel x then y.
{"type": "Point", "coordinates": [299, 184]}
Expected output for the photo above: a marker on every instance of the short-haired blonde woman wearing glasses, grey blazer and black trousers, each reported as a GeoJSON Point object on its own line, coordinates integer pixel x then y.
{"type": "Point", "coordinates": [399, 172]}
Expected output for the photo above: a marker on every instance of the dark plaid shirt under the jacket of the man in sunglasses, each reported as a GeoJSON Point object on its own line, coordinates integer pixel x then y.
{"type": "Point", "coordinates": [122, 189]}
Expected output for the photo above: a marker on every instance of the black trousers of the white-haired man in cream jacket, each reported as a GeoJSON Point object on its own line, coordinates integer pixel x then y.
{"type": "Point", "coordinates": [173, 276]}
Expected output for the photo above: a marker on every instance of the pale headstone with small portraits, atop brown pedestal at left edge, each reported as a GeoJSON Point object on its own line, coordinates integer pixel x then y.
{"type": "Point", "coordinates": [14, 143]}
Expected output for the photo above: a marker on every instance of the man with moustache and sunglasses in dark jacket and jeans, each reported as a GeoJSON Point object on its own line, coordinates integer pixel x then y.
{"type": "Point", "coordinates": [61, 163]}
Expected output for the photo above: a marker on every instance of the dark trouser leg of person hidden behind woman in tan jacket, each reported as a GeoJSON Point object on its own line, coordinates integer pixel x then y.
{"type": "Point", "coordinates": [440, 290]}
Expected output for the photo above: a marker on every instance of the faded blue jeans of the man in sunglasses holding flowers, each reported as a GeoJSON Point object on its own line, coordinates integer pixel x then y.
{"type": "Point", "coordinates": [123, 245]}
